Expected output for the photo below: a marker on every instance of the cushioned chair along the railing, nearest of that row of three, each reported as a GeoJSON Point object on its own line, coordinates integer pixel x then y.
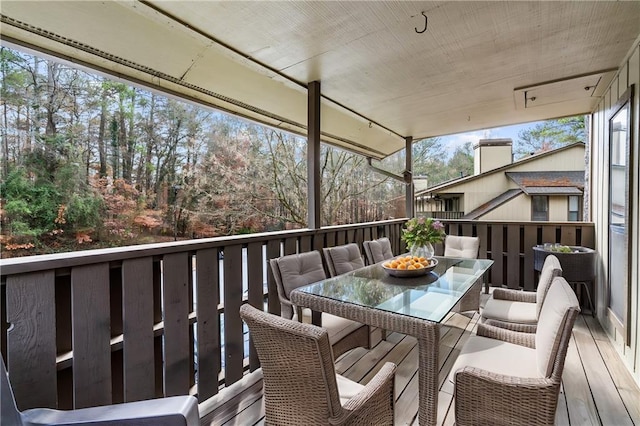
{"type": "Point", "coordinates": [297, 270]}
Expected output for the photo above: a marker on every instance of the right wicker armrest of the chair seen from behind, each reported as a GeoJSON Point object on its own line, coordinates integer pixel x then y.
{"type": "Point", "coordinates": [373, 403]}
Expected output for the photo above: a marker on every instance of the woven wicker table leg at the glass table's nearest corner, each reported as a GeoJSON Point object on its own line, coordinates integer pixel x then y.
{"type": "Point", "coordinates": [428, 370]}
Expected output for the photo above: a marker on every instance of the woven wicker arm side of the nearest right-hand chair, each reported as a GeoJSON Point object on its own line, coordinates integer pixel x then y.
{"type": "Point", "coordinates": [482, 397]}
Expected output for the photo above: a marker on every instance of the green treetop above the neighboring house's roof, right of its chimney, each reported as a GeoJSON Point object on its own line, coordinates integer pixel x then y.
{"type": "Point", "coordinates": [550, 134]}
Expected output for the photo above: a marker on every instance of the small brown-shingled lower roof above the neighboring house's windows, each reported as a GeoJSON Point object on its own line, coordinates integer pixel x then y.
{"type": "Point", "coordinates": [549, 182]}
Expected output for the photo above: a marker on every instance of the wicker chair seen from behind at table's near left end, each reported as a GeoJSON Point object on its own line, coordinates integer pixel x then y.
{"type": "Point", "coordinates": [300, 385]}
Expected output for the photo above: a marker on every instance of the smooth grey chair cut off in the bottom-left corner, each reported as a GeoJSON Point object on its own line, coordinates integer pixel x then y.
{"type": "Point", "coordinates": [172, 411]}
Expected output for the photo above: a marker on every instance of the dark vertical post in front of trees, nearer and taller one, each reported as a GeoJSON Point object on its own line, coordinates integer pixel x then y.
{"type": "Point", "coordinates": [313, 155]}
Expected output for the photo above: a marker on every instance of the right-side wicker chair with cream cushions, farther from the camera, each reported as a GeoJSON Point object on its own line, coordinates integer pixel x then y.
{"type": "Point", "coordinates": [520, 310]}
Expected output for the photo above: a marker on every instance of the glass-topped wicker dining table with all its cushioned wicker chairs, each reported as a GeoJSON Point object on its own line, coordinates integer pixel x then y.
{"type": "Point", "coordinates": [508, 373]}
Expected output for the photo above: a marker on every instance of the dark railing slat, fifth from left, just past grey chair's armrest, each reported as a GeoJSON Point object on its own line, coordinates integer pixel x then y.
{"type": "Point", "coordinates": [208, 297]}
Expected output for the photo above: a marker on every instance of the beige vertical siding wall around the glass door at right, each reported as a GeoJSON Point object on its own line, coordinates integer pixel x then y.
{"type": "Point", "coordinates": [629, 74]}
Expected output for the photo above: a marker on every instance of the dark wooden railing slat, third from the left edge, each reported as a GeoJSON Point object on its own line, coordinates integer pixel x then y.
{"type": "Point", "coordinates": [137, 316]}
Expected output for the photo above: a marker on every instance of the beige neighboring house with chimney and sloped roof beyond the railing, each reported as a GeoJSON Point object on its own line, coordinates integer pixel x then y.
{"type": "Point", "coordinates": [543, 187]}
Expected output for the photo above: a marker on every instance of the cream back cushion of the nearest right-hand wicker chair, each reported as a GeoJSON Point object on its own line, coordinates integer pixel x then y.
{"type": "Point", "coordinates": [560, 298]}
